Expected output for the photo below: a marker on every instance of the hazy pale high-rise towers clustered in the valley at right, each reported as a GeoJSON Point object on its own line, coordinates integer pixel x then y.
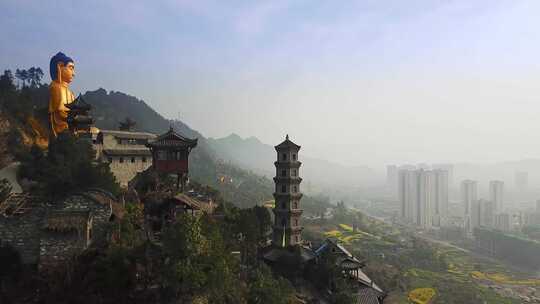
{"type": "Point", "coordinates": [422, 192]}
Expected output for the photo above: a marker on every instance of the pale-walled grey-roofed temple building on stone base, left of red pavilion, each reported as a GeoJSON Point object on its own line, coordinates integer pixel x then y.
{"type": "Point", "coordinates": [125, 151]}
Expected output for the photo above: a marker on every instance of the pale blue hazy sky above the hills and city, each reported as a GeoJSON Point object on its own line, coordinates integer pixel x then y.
{"type": "Point", "coordinates": [366, 82]}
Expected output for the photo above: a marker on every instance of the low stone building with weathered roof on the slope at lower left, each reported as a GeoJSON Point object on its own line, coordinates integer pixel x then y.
{"type": "Point", "coordinates": [46, 235]}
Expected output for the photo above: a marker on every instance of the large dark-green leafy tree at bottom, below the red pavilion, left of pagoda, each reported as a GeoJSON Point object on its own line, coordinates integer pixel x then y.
{"type": "Point", "coordinates": [197, 262]}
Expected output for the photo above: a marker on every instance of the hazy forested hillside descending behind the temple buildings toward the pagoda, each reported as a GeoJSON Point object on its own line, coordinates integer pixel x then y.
{"type": "Point", "coordinates": [238, 185]}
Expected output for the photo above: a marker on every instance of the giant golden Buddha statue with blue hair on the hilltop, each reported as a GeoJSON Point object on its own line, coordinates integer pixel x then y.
{"type": "Point", "coordinates": [62, 69]}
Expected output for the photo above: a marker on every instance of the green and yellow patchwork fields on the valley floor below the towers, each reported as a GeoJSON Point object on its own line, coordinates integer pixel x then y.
{"type": "Point", "coordinates": [466, 277]}
